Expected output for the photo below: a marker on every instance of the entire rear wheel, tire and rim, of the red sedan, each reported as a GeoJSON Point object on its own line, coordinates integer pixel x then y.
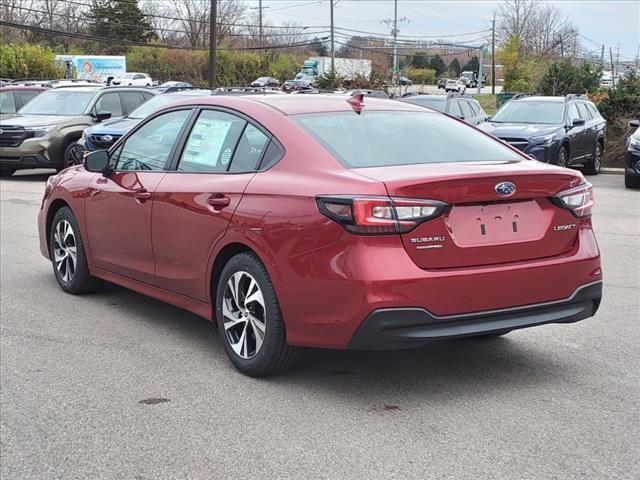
{"type": "Point", "coordinates": [249, 321]}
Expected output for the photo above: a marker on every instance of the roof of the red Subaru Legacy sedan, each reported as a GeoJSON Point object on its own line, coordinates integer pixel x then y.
{"type": "Point", "coordinates": [300, 104]}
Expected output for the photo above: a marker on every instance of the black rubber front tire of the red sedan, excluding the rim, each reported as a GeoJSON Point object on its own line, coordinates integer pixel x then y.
{"type": "Point", "coordinates": [80, 281]}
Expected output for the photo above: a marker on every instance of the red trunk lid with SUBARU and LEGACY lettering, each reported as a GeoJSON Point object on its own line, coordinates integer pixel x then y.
{"type": "Point", "coordinates": [480, 227]}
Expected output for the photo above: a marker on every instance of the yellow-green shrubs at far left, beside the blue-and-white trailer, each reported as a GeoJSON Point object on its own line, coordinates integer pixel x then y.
{"type": "Point", "coordinates": [28, 61]}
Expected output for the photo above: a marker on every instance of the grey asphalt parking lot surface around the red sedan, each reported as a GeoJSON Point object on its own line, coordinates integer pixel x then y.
{"type": "Point", "coordinates": [117, 385]}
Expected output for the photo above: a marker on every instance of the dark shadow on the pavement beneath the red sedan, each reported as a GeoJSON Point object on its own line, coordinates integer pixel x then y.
{"type": "Point", "coordinates": [379, 381]}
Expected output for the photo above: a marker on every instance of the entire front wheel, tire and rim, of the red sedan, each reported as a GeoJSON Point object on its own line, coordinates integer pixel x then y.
{"type": "Point", "coordinates": [68, 255]}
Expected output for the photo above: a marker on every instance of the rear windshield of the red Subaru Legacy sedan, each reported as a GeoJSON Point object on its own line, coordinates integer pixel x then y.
{"type": "Point", "coordinates": [378, 139]}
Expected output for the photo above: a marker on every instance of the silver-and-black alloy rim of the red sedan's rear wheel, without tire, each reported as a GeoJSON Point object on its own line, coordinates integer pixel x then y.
{"type": "Point", "coordinates": [244, 315]}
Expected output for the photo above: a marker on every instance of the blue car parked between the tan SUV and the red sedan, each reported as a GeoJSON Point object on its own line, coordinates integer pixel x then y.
{"type": "Point", "coordinates": [105, 134]}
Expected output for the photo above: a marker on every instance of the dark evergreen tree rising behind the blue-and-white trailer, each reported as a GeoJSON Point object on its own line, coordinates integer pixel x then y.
{"type": "Point", "coordinates": [120, 20]}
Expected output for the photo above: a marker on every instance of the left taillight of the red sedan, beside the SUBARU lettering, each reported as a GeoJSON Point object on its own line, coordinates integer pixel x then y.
{"type": "Point", "coordinates": [378, 215]}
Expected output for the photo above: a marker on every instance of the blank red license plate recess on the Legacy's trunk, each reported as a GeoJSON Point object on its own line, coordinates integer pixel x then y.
{"type": "Point", "coordinates": [496, 223]}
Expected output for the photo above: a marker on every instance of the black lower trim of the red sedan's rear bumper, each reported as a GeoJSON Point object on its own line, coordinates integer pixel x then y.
{"type": "Point", "coordinates": [395, 328]}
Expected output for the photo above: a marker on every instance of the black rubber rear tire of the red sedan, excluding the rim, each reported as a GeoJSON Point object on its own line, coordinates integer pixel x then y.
{"type": "Point", "coordinates": [274, 355]}
